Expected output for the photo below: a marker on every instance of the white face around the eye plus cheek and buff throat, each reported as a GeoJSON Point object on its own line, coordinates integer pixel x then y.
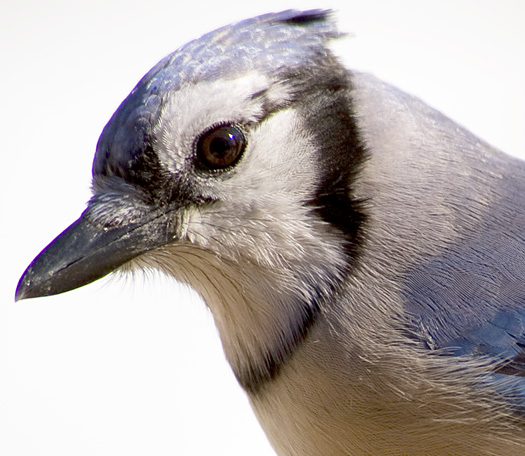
{"type": "Point", "coordinates": [257, 255]}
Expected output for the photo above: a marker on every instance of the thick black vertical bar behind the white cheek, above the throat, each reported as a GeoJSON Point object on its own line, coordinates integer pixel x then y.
{"type": "Point", "coordinates": [329, 116]}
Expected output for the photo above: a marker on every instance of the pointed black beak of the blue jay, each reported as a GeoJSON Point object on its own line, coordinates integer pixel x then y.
{"type": "Point", "coordinates": [87, 251]}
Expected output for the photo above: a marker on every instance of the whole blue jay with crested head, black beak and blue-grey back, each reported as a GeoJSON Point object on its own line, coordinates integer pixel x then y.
{"type": "Point", "coordinates": [362, 254]}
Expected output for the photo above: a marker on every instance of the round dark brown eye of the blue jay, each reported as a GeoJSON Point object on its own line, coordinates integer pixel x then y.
{"type": "Point", "coordinates": [220, 146]}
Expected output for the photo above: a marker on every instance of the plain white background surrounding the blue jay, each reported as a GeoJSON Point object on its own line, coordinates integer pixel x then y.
{"type": "Point", "coordinates": [134, 367]}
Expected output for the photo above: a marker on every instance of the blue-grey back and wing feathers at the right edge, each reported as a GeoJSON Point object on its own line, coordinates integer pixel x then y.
{"type": "Point", "coordinates": [470, 299]}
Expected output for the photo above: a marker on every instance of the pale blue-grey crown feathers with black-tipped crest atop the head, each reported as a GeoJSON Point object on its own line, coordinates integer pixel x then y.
{"type": "Point", "coordinates": [268, 43]}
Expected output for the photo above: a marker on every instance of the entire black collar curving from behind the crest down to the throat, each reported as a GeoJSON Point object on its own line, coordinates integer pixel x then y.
{"type": "Point", "coordinates": [325, 101]}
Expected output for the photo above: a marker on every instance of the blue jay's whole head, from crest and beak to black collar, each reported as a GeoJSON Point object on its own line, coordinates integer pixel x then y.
{"type": "Point", "coordinates": [229, 167]}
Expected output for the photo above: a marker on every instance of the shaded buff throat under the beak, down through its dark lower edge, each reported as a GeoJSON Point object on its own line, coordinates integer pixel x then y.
{"type": "Point", "coordinates": [261, 313]}
